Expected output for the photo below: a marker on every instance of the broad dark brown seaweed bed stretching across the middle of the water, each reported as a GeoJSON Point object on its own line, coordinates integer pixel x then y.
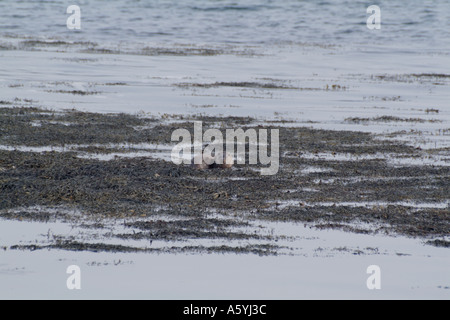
{"type": "Point", "coordinates": [364, 189]}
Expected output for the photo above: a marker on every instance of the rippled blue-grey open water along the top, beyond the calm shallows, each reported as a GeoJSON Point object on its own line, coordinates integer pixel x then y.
{"type": "Point", "coordinates": [406, 25]}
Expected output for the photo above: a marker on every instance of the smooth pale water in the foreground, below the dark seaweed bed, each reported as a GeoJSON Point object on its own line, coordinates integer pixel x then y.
{"type": "Point", "coordinates": [318, 267]}
